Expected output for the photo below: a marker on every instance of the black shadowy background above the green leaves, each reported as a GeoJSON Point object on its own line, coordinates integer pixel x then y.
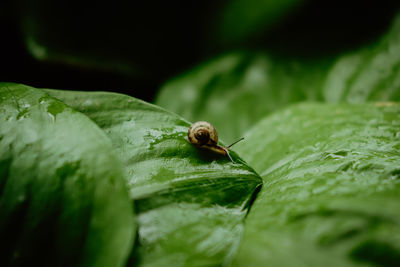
{"type": "Point", "coordinates": [160, 39]}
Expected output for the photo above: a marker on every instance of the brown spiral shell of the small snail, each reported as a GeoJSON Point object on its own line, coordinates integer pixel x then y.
{"type": "Point", "coordinates": [202, 133]}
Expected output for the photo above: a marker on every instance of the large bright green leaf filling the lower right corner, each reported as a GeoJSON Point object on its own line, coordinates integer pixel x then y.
{"type": "Point", "coordinates": [331, 187]}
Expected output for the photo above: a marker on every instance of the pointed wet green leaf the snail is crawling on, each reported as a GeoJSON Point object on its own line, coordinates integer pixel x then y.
{"type": "Point", "coordinates": [190, 203]}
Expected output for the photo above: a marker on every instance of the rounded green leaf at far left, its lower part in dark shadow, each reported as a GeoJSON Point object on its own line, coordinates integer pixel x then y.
{"type": "Point", "coordinates": [63, 199]}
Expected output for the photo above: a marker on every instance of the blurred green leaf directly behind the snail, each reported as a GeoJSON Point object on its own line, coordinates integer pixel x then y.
{"type": "Point", "coordinates": [236, 90]}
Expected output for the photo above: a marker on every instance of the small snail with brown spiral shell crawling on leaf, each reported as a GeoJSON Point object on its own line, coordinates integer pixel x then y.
{"type": "Point", "coordinates": [203, 135]}
